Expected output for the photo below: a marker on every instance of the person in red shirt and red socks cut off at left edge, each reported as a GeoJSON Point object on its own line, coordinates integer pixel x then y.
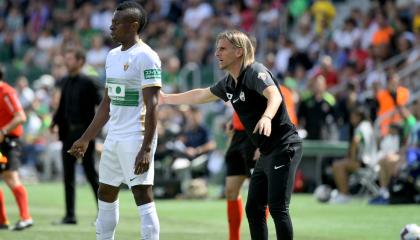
{"type": "Point", "coordinates": [11, 118]}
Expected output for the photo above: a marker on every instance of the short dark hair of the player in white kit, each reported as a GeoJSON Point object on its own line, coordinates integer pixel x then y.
{"type": "Point", "coordinates": [133, 12]}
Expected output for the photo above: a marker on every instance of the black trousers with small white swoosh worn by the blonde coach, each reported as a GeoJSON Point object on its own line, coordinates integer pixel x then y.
{"type": "Point", "coordinates": [272, 184]}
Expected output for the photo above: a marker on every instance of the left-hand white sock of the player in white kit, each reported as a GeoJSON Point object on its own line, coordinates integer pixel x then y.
{"type": "Point", "coordinates": [107, 220]}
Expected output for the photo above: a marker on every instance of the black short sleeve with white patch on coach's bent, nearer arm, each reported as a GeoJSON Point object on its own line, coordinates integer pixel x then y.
{"type": "Point", "coordinates": [261, 79]}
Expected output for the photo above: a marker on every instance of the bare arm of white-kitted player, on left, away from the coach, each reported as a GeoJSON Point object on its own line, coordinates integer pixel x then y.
{"type": "Point", "coordinates": [79, 147]}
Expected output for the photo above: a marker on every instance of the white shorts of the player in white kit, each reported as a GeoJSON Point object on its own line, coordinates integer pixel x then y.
{"type": "Point", "coordinates": [117, 163]}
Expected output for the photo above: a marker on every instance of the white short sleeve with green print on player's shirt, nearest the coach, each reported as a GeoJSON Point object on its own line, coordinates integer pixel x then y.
{"type": "Point", "coordinates": [151, 71]}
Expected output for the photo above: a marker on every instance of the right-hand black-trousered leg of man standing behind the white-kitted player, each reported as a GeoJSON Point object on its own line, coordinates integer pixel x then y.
{"type": "Point", "coordinates": [89, 168]}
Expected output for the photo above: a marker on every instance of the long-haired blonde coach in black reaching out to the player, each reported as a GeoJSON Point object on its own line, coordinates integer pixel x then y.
{"type": "Point", "coordinates": [255, 96]}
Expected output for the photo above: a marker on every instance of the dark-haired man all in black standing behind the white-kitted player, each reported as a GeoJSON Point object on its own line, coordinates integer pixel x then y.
{"type": "Point", "coordinates": [79, 96]}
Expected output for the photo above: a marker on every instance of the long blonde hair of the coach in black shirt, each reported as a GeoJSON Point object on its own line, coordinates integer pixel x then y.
{"type": "Point", "coordinates": [239, 40]}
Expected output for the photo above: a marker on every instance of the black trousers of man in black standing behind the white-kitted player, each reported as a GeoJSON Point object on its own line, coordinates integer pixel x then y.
{"type": "Point", "coordinates": [69, 170]}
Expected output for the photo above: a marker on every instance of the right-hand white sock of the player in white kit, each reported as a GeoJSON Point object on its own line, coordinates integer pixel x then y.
{"type": "Point", "coordinates": [149, 221]}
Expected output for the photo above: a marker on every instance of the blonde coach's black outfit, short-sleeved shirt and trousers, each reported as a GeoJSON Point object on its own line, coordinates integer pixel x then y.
{"type": "Point", "coordinates": [272, 180]}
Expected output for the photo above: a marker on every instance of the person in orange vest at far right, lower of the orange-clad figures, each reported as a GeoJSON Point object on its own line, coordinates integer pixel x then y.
{"type": "Point", "coordinates": [387, 99]}
